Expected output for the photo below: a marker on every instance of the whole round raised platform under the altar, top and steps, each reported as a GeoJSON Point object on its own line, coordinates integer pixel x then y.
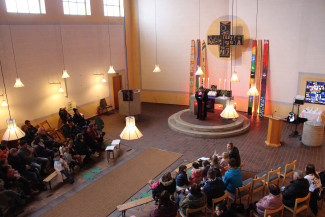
{"type": "Point", "coordinates": [213, 127]}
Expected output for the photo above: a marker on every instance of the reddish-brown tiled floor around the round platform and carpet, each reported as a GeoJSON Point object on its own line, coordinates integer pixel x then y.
{"type": "Point", "coordinates": [156, 133]}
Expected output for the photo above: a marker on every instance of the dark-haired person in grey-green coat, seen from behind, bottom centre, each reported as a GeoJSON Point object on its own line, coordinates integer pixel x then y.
{"type": "Point", "coordinates": [193, 200]}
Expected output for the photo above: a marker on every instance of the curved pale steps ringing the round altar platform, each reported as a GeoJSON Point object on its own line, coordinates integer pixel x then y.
{"type": "Point", "coordinates": [238, 127]}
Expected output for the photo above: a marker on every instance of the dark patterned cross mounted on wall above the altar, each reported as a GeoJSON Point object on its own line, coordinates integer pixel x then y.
{"type": "Point", "coordinates": [225, 39]}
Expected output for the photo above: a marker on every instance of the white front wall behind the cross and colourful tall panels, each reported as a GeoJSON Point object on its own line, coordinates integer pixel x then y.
{"type": "Point", "coordinates": [294, 27]}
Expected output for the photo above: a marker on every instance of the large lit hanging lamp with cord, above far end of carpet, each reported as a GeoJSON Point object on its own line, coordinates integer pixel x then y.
{"type": "Point", "coordinates": [130, 131]}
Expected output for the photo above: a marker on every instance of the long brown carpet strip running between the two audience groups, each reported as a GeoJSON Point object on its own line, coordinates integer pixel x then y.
{"type": "Point", "coordinates": [101, 197]}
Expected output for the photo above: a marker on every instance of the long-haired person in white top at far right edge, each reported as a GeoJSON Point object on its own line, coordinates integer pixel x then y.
{"type": "Point", "coordinates": [314, 186]}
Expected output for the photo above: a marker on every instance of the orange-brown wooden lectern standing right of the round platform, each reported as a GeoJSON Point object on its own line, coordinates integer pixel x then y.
{"type": "Point", "coordinates": [274, 132]}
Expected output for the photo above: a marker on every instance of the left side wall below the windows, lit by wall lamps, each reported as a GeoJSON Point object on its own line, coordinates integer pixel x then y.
{"type": "Point", "coordinates": [39, 61]}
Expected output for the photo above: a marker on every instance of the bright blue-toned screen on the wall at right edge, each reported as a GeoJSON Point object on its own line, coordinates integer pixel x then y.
{"type": "Point", "coordinates": [315, 92]}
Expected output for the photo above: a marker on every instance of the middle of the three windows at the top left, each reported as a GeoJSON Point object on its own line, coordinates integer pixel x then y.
{"type": "Point", "coordinates": [76, 7]}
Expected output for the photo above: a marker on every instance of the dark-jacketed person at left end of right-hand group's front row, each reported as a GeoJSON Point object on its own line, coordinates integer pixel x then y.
{"type": "Point", "coordinates": [166, 182]}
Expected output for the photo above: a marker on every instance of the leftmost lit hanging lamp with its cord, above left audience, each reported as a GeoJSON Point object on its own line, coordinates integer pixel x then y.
{"type": "Point", "coordinates": [13, 132]}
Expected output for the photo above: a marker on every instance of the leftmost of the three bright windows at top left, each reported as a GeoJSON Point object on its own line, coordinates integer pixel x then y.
{"type": "Point", "coordinates": [26, 6]}
